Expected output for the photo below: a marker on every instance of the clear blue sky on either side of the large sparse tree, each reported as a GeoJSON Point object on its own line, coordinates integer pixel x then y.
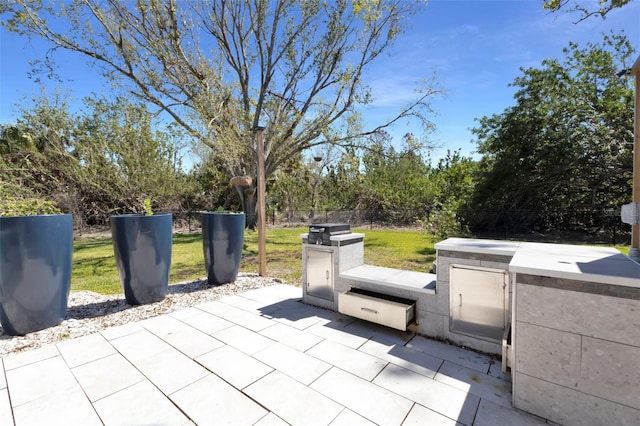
{"type": "Point", "coordinates": [476, 48]}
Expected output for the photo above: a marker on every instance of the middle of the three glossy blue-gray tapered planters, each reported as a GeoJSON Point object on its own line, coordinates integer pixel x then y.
{"type": "Point", "coordinates": [142, 248]}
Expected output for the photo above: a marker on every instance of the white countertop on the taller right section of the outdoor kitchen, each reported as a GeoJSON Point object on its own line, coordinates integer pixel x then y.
{"type": "Point", "coordinates": [586, 263]}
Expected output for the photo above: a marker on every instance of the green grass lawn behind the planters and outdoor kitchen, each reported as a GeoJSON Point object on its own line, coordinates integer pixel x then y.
{"type": "Point", "coordinates": [94, 266]}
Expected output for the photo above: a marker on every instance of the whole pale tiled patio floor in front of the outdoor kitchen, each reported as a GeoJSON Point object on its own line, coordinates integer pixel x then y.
{"type": "Point", "coordinates": [258, 358]}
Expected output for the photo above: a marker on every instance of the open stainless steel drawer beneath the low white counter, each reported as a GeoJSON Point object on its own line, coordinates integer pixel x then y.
{"type": "Point", "coordinates": [380, 308]}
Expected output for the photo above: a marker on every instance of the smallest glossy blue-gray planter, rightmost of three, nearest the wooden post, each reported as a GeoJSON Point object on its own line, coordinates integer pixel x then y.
{"type": "Point", "coordinates": [222, 243]}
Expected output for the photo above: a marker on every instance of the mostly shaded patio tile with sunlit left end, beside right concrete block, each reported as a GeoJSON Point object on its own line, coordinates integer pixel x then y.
{"type": "Point", "coordinates": [478, 384]}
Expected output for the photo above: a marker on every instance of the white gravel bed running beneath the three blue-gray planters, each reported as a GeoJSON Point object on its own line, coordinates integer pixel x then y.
{"type": "Point", "coordinates": [89, 312]}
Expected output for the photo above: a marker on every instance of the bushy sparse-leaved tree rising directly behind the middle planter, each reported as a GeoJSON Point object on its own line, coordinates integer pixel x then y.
{"type": "Point", "coordinates": [125, 156]}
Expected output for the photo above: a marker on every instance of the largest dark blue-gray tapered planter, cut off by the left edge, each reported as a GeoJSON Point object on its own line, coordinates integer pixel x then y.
{"type": "Point", "coordinates": [35, 271]}
